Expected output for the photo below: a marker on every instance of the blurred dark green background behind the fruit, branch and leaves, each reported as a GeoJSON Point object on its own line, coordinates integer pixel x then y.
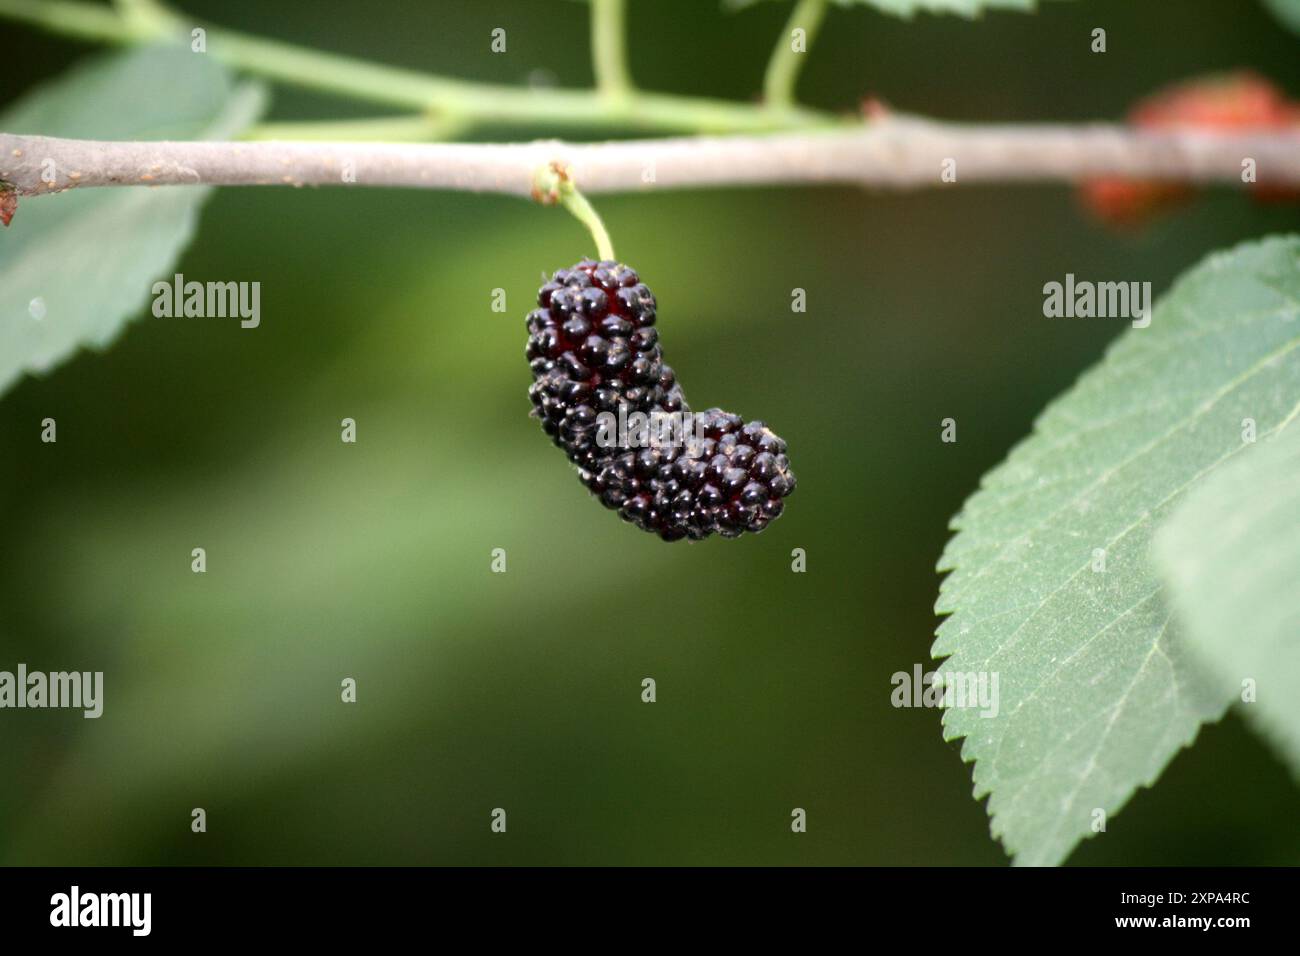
{"type": "Point", "coordinates": [522, 691]}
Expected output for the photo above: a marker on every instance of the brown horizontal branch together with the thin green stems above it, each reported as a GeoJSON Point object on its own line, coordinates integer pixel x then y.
{"type": "Point", "coordinates": [774, 142]}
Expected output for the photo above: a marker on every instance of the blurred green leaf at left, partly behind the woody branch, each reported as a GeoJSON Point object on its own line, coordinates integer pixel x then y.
{"type": "Point", "coordinates": [77, 266]}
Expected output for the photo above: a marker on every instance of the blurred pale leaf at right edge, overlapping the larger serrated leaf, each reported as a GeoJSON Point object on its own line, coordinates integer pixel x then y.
{"type": "Point", "coordinates": [1230, 556]}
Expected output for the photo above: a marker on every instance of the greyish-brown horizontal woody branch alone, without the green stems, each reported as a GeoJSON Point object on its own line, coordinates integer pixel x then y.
{"type": "Point", "coordinates": [887, 153]}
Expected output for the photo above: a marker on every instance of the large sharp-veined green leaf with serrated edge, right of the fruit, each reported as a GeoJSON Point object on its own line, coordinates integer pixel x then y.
{"type": "Point", "coordinates": [1098, 691]}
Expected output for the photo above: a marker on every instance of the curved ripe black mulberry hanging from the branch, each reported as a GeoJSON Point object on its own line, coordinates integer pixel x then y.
{"type": "Point", "coordinates": [597, 365]}
